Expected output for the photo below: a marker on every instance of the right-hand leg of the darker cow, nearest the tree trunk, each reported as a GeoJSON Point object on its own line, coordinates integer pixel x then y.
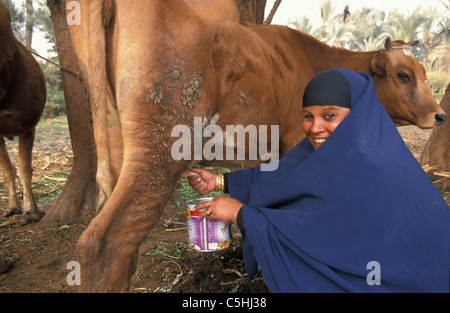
{"type": "Point", "coordinates": [30, 210]}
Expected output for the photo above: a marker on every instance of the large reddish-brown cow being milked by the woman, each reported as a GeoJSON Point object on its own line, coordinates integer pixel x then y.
{"type": "Point", "coordinates": [151, 65]}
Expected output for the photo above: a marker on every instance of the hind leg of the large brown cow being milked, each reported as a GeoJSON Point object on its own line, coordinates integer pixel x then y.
{"type": "Point", "coordinates": [108, 249]}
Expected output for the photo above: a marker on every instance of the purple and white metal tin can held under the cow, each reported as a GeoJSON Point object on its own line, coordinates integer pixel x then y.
{"type": "Point", "coordinates": [206, 235]}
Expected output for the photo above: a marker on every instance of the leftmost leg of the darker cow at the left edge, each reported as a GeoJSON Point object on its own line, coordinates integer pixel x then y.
{"type": "Point", "coordinates": [9, 174]}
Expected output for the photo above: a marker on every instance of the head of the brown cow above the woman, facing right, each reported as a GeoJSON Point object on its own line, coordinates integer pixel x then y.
{"type": "Point", "coordinates": [400, 83]}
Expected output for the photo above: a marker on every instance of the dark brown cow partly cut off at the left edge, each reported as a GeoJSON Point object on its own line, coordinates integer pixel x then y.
{"type": "Point", "coordinates": [22, 99]}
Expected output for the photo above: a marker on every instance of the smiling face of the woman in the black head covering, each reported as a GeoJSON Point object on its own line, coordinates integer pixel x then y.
{"type": "Point", "coordinates": [319, 122]}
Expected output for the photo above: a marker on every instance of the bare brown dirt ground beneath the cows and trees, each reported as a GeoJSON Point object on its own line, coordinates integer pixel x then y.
{"type": "Point", "coordinates": [40, 254]}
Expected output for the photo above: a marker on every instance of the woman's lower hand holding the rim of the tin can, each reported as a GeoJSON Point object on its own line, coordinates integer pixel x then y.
{"type": "Point", "coordinates": [220, 208]}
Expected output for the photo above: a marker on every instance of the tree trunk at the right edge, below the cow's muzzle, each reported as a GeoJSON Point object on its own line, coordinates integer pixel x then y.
{"type": "Point", "coordinates": [437, 149]}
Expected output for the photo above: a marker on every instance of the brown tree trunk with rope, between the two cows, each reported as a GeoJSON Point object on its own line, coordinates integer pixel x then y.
{"type": "Point", "coordinates": [78, 198]}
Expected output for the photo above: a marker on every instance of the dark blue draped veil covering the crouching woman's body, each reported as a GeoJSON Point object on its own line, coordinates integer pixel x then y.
{"type": "Point", "coordinates": [358, 210]}
